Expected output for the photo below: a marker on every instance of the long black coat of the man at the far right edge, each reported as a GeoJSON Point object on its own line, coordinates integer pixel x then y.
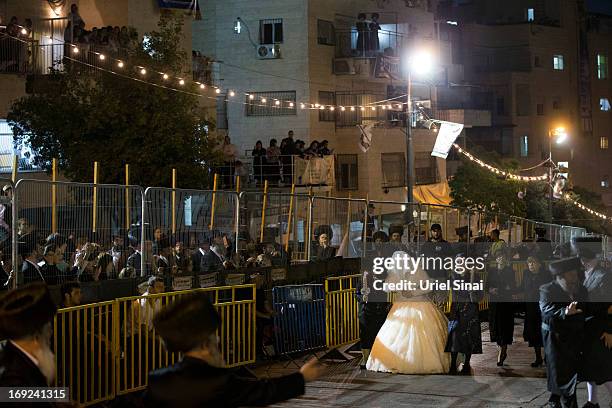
{"type": "Point", "coordinates": [597, 359]}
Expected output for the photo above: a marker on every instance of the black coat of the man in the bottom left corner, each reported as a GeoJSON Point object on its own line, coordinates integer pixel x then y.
{"type": "Point", "coordinates": [17, 370]}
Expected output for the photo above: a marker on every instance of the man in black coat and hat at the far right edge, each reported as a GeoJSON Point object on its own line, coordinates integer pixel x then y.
{"type": "Point", "coordinates": [597, 357]}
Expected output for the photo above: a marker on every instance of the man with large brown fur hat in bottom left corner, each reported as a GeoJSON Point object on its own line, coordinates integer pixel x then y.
{"type": "Point", "coordinates": [26, 359]}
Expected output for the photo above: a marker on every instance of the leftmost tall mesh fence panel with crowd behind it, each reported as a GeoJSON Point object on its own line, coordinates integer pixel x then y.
{"type": "Point", "coordinates": [93, 219]}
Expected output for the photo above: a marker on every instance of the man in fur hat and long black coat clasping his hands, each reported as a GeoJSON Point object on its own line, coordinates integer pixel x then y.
{"type": "Point", "coordinates": [562, 305]}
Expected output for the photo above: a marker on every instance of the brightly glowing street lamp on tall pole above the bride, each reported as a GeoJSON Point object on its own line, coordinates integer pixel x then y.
{"type": "Point", "coordinates": [420, 63]}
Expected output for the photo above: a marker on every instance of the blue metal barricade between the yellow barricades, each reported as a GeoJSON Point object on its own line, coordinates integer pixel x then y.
{"type": "Point", "coordinates": [299, 318]}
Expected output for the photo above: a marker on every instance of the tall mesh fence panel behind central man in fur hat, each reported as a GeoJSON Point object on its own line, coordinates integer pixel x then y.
{"type": "Point", "coordinates": [344, 222]}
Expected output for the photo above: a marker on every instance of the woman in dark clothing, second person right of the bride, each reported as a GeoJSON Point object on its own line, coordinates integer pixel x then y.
{"type": "Point", "coordinates": [501, 285]}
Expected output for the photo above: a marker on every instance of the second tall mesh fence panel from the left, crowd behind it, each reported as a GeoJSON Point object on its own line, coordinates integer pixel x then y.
{"type": "Point", "coordinates": [177, 222]}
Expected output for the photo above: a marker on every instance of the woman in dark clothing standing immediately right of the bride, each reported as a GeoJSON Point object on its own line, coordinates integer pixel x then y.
{"type": "Point", "coordinates": [464, 334]}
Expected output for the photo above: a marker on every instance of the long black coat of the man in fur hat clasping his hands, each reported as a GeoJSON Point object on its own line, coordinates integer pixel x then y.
{"type": "Point", "coordinates": [563, 337]}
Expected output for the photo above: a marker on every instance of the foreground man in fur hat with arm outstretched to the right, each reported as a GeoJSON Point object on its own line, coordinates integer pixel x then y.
{"type": "Point", "coordinates": [199, 379]}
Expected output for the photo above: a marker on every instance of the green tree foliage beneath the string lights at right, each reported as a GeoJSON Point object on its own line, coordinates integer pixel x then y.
{"type": "Point", "coordinates": [479, 189]}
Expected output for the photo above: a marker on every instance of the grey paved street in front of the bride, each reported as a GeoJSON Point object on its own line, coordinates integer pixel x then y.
{"type": "Point", "coordinates": [514, 385]}
